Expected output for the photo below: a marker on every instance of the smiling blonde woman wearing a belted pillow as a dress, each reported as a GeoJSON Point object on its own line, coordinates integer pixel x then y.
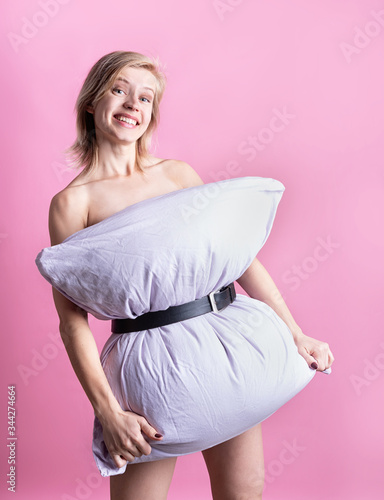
{"type": "Point", "coordinates": [117, 112]}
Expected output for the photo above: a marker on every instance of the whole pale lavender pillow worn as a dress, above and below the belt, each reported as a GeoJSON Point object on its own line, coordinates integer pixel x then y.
{"type": "Point", "coordinates": [200, 381]}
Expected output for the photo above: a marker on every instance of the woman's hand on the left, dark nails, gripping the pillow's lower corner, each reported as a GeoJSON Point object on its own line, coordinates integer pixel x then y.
{"type": "Point", "coordinates": [123, 438]}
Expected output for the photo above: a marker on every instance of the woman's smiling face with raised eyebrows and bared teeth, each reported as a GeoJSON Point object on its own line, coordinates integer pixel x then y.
{"type": "Point", "coordinates": [124, 112]}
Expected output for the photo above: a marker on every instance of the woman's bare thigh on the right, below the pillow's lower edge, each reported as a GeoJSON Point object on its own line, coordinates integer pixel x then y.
{"type": "Point", "coordinates": [236, 467]}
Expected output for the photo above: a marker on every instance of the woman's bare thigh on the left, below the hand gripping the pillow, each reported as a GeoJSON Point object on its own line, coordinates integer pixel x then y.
{"type": "Point", "coordinates": [145, 481]}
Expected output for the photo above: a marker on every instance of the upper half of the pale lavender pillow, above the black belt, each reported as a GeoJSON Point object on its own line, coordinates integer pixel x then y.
{"type": "Point", "coordinates": [164, 251]}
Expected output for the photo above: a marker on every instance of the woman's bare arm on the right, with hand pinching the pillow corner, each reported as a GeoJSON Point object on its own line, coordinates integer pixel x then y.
{"type": "Point", "coordinates": [259, 285]}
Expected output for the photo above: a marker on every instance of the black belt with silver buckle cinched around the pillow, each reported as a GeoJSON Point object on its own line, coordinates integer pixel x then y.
{"type": "Point", "coordinates": [215, 301]}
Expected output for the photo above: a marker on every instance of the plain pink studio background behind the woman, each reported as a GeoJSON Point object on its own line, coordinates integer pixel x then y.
{"type": "Point", "coordinates": [230, 71]}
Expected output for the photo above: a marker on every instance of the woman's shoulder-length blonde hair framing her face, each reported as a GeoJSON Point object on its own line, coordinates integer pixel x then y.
{"type": "Point", "coordinates": [83, 152]}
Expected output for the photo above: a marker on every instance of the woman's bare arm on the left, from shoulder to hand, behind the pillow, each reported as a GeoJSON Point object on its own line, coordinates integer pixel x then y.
{"type": "Point", "coordinates": [122, 430]}
